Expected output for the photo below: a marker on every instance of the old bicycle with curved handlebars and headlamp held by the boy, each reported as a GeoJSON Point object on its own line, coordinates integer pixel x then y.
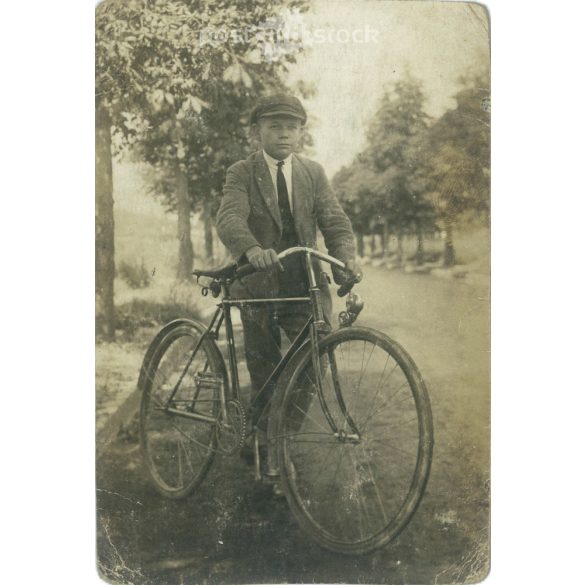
{"type": "Point", "coordinates": [349, 416]}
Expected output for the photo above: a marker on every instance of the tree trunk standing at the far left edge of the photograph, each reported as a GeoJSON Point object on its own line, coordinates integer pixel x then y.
{"type": "Point", "coordinates": [104, 224]}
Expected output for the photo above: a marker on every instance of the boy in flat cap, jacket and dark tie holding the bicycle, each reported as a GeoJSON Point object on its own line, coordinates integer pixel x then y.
{"type": "Point", "coordinates": [273, 200]}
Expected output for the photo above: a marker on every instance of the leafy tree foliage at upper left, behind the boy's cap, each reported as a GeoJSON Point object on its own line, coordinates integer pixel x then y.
{"type": "Point", "coordinates": [178, 78]}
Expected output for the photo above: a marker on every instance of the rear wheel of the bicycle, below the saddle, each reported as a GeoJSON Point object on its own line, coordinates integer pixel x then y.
{"type": "Point", "coordinates": [181, 374]}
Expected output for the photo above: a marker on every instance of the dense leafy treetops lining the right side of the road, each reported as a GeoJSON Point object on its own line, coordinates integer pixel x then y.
{"type": "Point", "coordinates": [416, 174]}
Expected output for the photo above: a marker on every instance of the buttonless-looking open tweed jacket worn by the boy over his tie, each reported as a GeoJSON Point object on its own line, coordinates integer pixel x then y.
{"type": "Point", "coordinates": [249, 214]}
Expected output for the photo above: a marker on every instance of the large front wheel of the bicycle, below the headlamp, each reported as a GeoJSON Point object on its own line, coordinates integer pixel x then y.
{"type": "Point", "coordinates": [355, 489]}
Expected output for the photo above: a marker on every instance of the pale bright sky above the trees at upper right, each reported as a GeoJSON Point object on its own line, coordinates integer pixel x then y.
{"type": "Point", "coordinates": [435, 41]}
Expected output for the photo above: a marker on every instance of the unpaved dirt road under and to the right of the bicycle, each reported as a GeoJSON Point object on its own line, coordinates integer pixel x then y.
{"type": "Point", "coordinates": [232, 531]}
